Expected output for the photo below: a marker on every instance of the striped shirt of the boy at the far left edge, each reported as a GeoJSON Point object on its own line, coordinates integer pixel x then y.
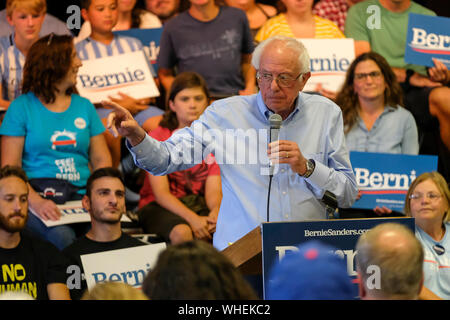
{"type": "Point", "coordinates": [11, 68]}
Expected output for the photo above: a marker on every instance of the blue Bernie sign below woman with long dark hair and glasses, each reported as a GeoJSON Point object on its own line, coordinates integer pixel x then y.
{"type": "Point", "coordinates": [383, 179]}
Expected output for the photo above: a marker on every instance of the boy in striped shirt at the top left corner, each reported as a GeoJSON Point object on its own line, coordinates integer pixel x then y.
{"type": "Point", "coordinates": [26, 17]}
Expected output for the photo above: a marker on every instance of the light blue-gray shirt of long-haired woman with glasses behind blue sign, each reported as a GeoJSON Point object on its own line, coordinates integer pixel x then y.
{"type": "Point", "coordinates": [394, 131]}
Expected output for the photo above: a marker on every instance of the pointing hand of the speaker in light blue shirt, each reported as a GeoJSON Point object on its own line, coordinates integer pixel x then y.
{"type": "Point", "coordinates": [121, 122]}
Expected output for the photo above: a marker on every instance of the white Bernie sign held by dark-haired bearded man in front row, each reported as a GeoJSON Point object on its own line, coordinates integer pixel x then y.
{"type": "Point", "coordinates": [129, 265]}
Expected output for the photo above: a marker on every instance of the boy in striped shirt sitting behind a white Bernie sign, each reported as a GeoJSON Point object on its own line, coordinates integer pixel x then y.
{"type": "Point", "coordinates": [102, 15]}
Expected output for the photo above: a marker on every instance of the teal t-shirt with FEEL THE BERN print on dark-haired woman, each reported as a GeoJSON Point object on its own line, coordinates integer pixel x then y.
{"type": "Point", "coordinates": [56, 143]}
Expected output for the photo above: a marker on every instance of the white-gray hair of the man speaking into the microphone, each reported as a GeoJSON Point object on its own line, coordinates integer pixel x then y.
{"type": "Point", "coordinates": [294, 44]}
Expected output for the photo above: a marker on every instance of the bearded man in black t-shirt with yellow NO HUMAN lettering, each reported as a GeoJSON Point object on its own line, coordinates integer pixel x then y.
{"type": "Point", "coordinates": [29, 265]}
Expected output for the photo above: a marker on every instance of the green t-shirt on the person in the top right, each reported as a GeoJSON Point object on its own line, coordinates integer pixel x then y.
{"type": "Point", "coordinates": [384, 30]}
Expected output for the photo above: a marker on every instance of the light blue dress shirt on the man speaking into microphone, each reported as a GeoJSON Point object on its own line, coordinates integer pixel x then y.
{"type": "Point", "coordinates": [236, 130]}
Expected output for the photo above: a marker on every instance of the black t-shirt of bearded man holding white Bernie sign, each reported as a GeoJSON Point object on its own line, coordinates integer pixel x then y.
{"type": "Point", "coordinates": [83, 246]}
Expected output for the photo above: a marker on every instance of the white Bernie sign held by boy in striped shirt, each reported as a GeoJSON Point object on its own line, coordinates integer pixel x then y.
{"type": "Point", "coordinates": [128, 73]}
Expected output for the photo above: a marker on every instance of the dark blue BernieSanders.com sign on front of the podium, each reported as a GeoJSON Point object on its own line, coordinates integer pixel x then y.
{"type": "Point", "coordinates": [282, 238]}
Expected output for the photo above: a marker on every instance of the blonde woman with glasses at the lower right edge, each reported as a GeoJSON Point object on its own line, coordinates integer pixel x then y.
{"type": "Point", "coordinates": [428, 201]}
